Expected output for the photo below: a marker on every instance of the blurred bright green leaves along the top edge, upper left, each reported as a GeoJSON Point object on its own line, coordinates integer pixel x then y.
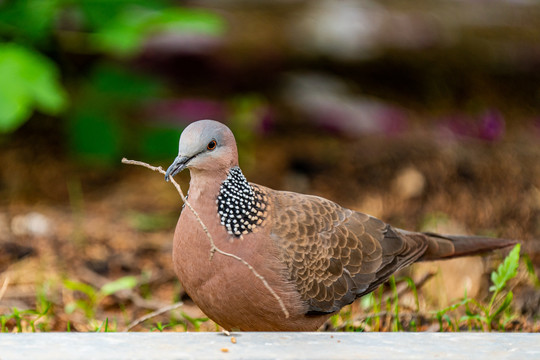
{"type": "Point", "coordinates": [119, 26]}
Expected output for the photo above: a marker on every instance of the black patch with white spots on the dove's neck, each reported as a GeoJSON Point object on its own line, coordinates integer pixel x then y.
{"type": "Point", "coordinates": [241, 206]}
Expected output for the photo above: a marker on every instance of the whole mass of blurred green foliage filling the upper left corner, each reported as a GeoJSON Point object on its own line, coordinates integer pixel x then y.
{"type": "Point", "coordinates": [37, 38]}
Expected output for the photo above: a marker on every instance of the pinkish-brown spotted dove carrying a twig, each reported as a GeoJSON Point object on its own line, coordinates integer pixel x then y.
{"type": "Point", "coordinates": [316, 255]}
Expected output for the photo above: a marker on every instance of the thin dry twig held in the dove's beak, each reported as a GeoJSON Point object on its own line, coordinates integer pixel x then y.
{"type": "Point", "coordinates": [213, 247]}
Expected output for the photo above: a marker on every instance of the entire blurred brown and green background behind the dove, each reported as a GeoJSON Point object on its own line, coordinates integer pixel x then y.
{"type": "Point", "coordinates": [425, 114]}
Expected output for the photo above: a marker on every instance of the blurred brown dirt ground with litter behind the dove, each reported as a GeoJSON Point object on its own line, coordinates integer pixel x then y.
{"type": "Point", "coordinates": [62, 220]}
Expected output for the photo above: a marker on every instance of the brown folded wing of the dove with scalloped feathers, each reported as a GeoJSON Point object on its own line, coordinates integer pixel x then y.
{"type": "Point", "coordinates": [335, 255]}
